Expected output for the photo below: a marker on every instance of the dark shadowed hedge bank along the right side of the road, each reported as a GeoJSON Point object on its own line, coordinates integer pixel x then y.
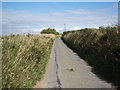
{"type": "Point", "coordinates": [99, 47]}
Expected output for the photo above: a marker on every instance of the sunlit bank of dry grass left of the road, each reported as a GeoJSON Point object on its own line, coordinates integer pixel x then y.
{"type": "Point", "coordinates": [24, 59]}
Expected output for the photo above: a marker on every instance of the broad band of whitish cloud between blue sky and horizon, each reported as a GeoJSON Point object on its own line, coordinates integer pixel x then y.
{"type": "Point", "coordinates": [22, 21]}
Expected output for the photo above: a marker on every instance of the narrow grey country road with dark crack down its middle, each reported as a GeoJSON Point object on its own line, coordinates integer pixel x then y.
{"type": "Point", "coordinates": [65, 69]}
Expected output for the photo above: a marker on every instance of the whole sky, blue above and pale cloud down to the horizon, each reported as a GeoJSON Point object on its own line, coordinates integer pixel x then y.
{"type": "Point", "coordinates": [33, 17]}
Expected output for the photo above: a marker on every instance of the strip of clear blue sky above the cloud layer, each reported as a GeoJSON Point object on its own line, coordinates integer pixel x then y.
{"type": "Point", "coordinates": [43, 7]}
